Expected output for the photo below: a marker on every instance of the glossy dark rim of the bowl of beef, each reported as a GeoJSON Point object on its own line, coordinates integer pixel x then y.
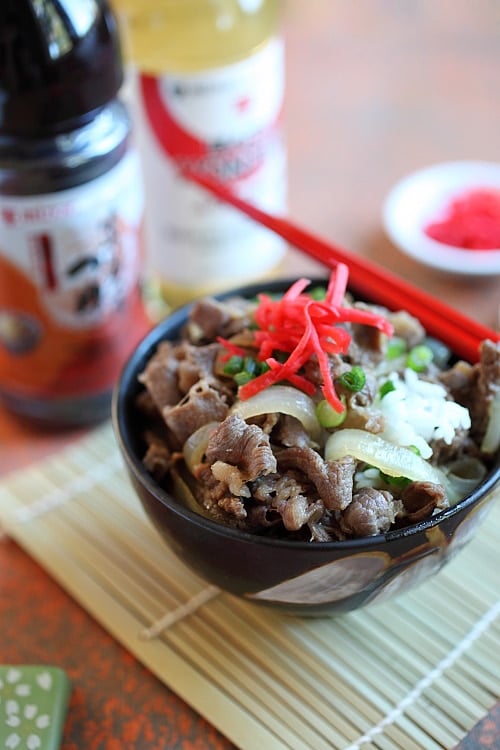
{"type": "Point", "coordinates": [135, 465]}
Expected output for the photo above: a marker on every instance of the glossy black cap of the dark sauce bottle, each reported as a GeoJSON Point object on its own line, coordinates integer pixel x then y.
{"type": "Point", "coordinates": [60, 61]}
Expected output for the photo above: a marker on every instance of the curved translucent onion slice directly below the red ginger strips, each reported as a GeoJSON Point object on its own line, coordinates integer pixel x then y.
{"type": "Point", "coordinates": [281, 399]}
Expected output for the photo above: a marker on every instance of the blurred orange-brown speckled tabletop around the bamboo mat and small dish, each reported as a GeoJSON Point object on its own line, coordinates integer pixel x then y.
{"type": "Point", "coordinates": [375, 90]}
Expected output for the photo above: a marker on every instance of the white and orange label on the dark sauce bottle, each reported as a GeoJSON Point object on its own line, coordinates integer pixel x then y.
{"type": "Point", "coordinates": [69, 270]}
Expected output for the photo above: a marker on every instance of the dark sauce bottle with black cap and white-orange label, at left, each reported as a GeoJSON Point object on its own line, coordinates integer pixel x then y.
{"type": "Point", "coordinates": [71, 212]}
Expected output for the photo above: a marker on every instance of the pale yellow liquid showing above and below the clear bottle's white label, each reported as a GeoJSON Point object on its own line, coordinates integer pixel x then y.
{"type": "Point", "coordinates": [187, 36]}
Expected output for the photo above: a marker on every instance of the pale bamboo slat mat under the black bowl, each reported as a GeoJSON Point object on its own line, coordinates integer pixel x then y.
{"type": "Point", "coordinates": [410, 674]}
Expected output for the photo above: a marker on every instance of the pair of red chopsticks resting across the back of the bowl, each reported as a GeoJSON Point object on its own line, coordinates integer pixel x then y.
{"type": "Point", "coordinates": [461, 333]}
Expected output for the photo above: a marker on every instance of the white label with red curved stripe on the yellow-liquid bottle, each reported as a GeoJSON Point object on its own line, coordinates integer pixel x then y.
{"type": "Point", "coordinates": [226, 123]}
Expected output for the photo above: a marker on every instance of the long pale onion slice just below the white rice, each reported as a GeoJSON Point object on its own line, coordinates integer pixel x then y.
{"type": "Point", "coordinates": [394, 460]}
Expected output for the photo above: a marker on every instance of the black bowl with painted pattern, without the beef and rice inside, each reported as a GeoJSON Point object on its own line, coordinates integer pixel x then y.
{"type": "Point", "coordinates": [306, 578]}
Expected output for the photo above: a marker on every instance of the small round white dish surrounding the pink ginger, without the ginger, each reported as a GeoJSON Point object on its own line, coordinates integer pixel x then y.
{"type": "Point", "coordinates": [419, 199]}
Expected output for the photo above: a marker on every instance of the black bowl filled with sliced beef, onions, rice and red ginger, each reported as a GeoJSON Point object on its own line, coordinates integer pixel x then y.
{"type": "Point", "coordinates": [307, 450]}
